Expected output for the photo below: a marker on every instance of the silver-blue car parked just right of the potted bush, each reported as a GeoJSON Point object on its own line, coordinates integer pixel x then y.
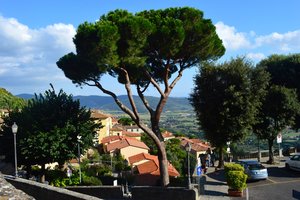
{"type": "Point", "coordinates": [254, 169]}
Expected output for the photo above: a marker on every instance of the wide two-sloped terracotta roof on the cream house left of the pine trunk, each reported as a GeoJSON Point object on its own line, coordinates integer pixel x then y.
{"type": "Point", "coordinates": [125, 142]}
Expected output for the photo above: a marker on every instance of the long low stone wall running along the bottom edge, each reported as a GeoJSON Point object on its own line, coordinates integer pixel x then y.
{"type": "Point", "coordinates": [46, 192]}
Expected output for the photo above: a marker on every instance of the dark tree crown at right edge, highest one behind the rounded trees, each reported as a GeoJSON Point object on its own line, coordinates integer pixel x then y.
{"type": "Point", "coordinates": [285, 71]}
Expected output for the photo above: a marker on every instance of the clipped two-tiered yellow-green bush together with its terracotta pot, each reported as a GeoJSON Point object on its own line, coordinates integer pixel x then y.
{"type": "Point", "coordinates": [236, 179]}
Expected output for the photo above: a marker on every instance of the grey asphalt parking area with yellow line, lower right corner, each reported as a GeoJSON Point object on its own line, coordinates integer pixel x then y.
{"type": "Point", "coordinates": [282, 184]}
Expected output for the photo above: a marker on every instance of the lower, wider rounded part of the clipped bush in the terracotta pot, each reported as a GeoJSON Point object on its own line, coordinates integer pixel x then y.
{"type": "Point", "coordinates": [236, 180]}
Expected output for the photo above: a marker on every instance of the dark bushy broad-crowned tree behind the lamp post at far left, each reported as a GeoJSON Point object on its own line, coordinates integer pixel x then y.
{"type": "Point", "coordinates": [48, 130]}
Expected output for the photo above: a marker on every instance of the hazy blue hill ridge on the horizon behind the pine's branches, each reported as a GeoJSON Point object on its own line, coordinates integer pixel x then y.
{"type": "Point", "coordinates": [107, 103]}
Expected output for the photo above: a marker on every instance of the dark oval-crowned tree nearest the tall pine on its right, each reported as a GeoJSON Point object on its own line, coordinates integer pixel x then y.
{"type": "Point", "coordinates": [226, 99]}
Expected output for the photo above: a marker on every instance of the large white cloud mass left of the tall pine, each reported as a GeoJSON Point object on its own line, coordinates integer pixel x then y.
{"type": "Point", "coordinates": [28, 56]}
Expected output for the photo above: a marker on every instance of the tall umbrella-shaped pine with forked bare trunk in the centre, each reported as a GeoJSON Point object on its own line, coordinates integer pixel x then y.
{"type": "Point", "coordinates": [145, 49]}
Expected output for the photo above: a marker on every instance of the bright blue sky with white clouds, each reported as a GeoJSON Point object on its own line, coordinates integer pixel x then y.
{"type": "Point", "coordinates": [34, 34]}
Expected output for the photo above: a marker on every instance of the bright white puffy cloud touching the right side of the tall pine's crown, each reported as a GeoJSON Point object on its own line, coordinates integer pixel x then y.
{"type": "Point", "coordinates": [232, 39]}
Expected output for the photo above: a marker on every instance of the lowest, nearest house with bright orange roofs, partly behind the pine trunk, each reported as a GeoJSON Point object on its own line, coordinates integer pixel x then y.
{"type": "Point", "coordinates": [145, 168]}
